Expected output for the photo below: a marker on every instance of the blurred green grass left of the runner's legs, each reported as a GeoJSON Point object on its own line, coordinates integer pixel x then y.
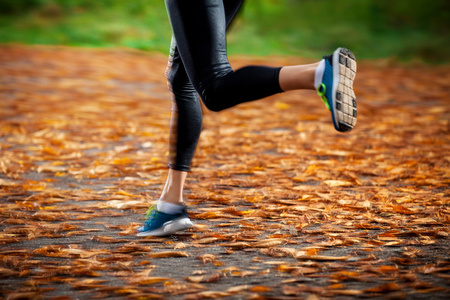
{"type": "Point", "coordinates": [117, 25]}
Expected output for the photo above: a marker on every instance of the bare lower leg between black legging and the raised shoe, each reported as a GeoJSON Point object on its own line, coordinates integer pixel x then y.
{"type": "Point", "coordinates": [297, 77]}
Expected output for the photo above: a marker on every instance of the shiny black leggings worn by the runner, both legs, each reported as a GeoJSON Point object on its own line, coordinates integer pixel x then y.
{"type": "Point", "coordinates": [198, 65]}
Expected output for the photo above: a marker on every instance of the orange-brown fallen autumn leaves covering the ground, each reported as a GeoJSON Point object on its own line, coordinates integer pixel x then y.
{"type": "Point", "coordinates": [284, 206]}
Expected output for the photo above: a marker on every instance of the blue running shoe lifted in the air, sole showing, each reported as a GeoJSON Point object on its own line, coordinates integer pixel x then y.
{"type": "Point", "coordinates": [336, 89]}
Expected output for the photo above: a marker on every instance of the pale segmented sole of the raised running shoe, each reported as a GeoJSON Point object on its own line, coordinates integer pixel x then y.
{"type": "Point", "coordinates": [344, 108]}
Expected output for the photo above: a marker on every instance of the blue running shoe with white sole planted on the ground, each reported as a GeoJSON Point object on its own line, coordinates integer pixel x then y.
{"type": "Point", "coordinates": [161, 224]}
